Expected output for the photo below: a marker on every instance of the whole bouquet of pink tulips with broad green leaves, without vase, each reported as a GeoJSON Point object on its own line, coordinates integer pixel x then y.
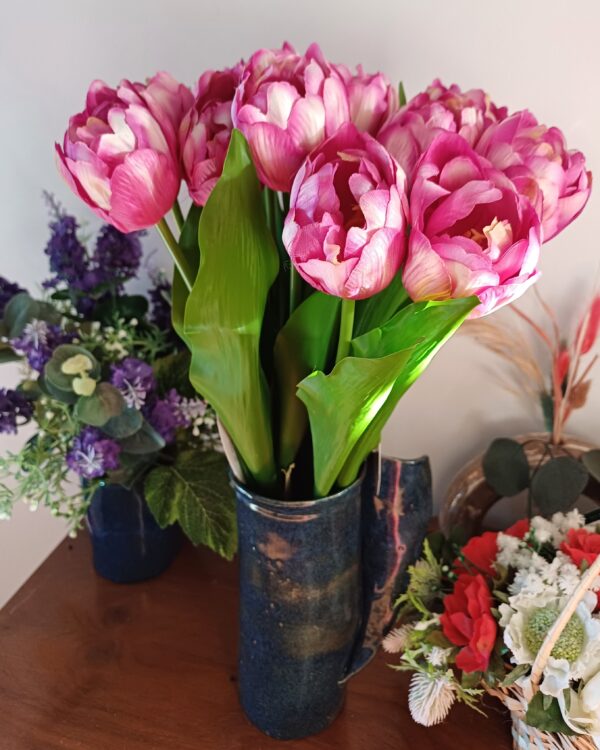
{"type": "Point", "coordinates": [338, 236]}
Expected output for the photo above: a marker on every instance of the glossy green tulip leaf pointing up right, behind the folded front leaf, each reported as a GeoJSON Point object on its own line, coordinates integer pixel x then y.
{"type": "Point", "coordinates": [424, 326]}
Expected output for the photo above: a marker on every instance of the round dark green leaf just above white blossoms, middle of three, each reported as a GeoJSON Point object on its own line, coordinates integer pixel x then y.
{"type": "Point", "coordinates": [558, 484]}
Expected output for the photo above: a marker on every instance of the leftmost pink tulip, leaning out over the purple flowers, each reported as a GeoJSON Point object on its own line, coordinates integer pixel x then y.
{"type": "Point", "coordinates": [120, 155]}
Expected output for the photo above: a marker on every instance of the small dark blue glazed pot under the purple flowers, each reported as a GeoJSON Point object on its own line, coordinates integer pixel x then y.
{"type": "Point", "coordinates": [128, 545]}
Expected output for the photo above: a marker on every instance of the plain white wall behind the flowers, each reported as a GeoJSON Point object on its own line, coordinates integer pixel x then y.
{"type": "Point", "coordinates": [540, 54]}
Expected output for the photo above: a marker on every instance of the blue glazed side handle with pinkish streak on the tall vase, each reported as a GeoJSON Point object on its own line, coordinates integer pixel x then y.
{"type": "Point", "coordinates": [396, 509]}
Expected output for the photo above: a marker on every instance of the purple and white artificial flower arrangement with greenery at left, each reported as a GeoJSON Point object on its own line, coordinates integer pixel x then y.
{"type": "Point", "coordinates": [104, 379]}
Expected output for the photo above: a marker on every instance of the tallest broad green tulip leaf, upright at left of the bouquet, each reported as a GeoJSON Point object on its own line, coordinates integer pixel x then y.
{"type": "Point", "coordinates": [224, 311]}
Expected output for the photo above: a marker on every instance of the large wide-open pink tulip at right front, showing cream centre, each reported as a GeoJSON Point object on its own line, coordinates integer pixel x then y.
{"type": "Point", "coordinates": [472, 233]}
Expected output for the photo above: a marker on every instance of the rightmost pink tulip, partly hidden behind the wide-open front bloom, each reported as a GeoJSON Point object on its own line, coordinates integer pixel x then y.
{"type": "Point", "coordinates": [537, 160]}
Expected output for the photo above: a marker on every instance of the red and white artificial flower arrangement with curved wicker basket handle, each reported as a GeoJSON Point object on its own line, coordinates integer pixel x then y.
{"type": "Point", "coordinates": [505, 613]}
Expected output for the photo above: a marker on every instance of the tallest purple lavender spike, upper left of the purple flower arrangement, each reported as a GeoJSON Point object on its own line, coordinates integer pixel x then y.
{"type": "Point", "coordinates": [68, 257]}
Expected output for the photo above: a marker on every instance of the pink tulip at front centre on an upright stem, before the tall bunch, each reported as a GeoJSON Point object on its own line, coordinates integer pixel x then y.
{"type": "Point", "coordinates": [345, 231]}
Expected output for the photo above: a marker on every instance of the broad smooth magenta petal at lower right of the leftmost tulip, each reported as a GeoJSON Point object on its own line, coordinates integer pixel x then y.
{"type": "Point", "coordinates": [144, 188]}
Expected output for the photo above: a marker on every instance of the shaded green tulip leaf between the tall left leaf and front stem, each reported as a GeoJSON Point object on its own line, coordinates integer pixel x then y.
{"type": "Point", "coordinates": [304, 344]}
